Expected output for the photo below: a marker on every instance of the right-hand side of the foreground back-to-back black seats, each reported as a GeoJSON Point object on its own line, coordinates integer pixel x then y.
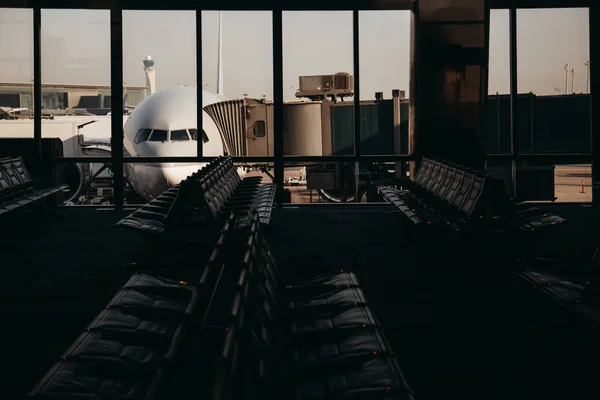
{"type": "Point", "coordinates": [315, 339]}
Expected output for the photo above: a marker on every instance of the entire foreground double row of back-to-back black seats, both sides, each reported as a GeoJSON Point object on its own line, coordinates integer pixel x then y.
{"type": "Point", "coordinates": [239, 333]}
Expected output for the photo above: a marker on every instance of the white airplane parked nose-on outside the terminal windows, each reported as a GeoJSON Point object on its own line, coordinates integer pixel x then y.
{"type": "Point", "coordinates": [164, 125]}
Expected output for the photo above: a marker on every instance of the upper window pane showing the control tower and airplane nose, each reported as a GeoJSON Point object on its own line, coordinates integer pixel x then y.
{"type": "Point", "coordinates": [159, 84]}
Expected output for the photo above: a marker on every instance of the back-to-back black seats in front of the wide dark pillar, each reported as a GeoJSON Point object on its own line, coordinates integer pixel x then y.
{"type": "Point", "coordinates": [449, 195]}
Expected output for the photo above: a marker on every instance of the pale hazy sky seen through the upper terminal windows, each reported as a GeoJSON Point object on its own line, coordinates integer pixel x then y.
{"type": "Point", "coordinates": [76, 48]}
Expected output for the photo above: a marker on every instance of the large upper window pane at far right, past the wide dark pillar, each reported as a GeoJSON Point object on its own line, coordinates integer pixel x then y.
{"type": "Point", "coordinates": [553, 50]}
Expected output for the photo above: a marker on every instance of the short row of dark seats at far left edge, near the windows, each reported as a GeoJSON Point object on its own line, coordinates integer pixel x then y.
{"type": "Point", "coordinates": [19, 192]}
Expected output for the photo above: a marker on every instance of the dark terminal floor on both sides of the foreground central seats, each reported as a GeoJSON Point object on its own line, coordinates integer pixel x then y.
{"type": "Point", "coordinates": [478, 334]}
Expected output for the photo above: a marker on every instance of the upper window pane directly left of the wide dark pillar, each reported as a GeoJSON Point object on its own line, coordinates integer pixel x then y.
{"type": "Point", "coordinates": [384, 80]}
